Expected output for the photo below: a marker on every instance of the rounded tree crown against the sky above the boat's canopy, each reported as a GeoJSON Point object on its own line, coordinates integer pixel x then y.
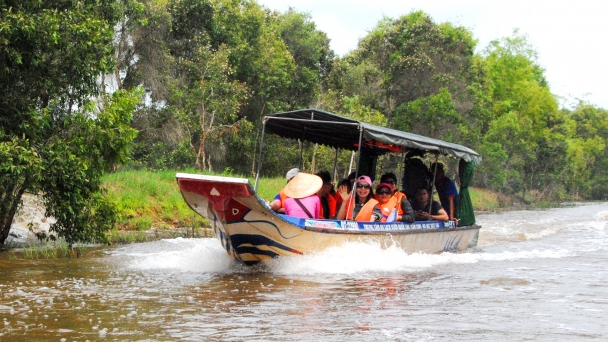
{"type": "Point", "coordinates": [418, 58]}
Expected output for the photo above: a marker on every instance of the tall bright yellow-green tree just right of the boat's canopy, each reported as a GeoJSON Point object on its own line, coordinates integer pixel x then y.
{"type": "Point", "coordinates": [527, 133]}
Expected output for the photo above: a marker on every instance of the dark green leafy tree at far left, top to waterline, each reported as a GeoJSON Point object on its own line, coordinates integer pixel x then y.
{"type": "Point", "coordinates": [51, 138]}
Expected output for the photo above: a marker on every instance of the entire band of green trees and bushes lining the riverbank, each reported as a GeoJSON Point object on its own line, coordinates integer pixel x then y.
{"type": "Point", "coordinates": [211, 69]}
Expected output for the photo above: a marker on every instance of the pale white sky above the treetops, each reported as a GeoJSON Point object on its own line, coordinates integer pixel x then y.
{"type": "Point", "coordinates": [571, 37]}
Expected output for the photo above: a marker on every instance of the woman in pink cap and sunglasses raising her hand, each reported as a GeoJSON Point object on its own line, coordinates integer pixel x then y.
{"type": "Point", "coordinates": [360, 204]}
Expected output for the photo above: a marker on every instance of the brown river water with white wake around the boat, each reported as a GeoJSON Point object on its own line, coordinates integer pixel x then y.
{"type": "Point", "coordinates": [535, 275]}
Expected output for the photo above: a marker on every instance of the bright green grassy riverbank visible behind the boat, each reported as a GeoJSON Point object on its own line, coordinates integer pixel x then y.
{"type": "Point", "coordinates": [148, 199]}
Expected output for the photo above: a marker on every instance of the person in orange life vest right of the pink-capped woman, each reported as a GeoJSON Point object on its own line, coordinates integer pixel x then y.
{"type": "Point", "coordinates": [393, 207]}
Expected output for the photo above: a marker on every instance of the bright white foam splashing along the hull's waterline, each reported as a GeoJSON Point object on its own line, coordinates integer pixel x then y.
{"type": "Point", "coordinates": [206, 256]}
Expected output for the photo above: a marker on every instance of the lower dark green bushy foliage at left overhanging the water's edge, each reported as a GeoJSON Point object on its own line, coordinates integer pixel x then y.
{"type": "Point", "coordinates": [74, 162]}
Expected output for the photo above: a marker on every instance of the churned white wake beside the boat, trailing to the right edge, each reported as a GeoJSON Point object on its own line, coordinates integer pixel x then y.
{"type": "Point", "coordinates": [549, 234]}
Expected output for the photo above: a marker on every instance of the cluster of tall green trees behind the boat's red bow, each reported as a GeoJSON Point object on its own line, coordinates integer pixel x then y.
{"type": "Point", "coordinates": [210, 67]}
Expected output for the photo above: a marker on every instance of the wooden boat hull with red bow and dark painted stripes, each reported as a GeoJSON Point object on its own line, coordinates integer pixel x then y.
{"type": "Point", "coordinates": [252, 233]}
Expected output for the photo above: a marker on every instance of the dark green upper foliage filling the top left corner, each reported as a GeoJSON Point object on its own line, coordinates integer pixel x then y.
{"type": "Point", "coordinates": [52, 51]}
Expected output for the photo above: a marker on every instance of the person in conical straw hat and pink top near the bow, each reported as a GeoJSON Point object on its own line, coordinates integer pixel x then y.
{"type": "Point", "coordinates": [302, 200]}
